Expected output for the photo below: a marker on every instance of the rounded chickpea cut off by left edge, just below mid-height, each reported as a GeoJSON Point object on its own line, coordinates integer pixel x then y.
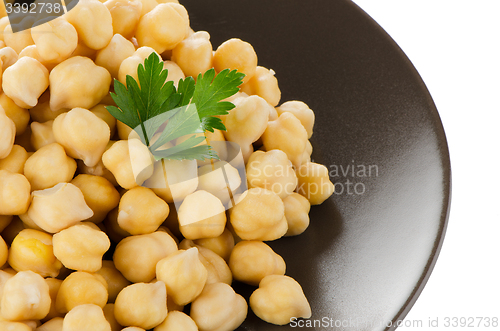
{"type": "Point", "coordinates": [14, 193]}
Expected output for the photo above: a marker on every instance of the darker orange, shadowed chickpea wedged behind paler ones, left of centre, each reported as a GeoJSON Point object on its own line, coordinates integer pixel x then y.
{"type": "Point", "coordinates": [100, 195]}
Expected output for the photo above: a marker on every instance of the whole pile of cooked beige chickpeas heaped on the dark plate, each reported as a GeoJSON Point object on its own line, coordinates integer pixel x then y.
{"type": "Point", "coordinates": [70, 192]}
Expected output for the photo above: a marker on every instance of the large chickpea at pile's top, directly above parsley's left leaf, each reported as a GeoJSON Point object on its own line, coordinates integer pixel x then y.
{"type": "Point", "coordinates": [162, 28]}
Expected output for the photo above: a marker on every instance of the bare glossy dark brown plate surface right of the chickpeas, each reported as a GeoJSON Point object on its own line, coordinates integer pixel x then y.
{"type": "Point", "coordinates": [371, 247]}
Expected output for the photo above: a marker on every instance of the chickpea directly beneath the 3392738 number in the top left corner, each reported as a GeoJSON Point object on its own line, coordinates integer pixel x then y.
{"type": "Point", "coordinates": [55, 40]}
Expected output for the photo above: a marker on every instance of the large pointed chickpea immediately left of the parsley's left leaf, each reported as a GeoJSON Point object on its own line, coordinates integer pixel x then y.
{"type": "Point", "coordinates": [69, 86]}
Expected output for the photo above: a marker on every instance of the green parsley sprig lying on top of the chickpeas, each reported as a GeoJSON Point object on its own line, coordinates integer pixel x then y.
{"type": "Point", "coordinates": [159, 112]}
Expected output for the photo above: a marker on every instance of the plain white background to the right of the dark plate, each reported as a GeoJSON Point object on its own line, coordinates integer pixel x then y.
{"type": "Point", "coordinates": [455, 46]}
